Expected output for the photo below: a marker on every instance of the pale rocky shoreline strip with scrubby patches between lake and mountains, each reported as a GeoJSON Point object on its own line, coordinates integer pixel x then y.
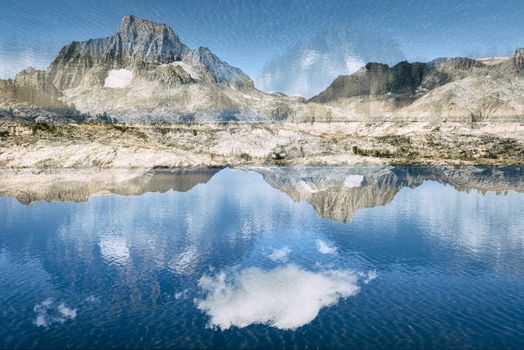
{"type": "Point", "coordinates": [49, 146]}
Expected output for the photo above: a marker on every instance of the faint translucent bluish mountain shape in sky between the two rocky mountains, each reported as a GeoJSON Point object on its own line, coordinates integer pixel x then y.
{"type": "Point", "coordinates": [308, 67]}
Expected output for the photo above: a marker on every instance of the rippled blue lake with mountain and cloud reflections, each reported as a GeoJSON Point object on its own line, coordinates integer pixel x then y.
{"type": "Point", "coordinates": [270, 258]}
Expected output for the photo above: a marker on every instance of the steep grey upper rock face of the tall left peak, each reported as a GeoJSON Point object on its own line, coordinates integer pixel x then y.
{"type": "Point", "coordinates": [138, 44]}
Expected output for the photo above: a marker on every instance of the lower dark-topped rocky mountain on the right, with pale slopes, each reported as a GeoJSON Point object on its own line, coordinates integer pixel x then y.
{"type": "Point", "coordinates": [445, 87]}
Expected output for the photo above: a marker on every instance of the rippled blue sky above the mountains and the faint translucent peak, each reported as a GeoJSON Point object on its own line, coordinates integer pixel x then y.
{"type": "Point", "coordinates": [248, 34]}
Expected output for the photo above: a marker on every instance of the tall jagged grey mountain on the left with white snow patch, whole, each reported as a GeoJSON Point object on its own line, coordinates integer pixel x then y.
{"type": "Point", "coordinates": [143, 73]}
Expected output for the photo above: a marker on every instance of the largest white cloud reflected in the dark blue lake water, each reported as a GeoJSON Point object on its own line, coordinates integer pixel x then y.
{"type": "Point", "coordinates": [286, 297]}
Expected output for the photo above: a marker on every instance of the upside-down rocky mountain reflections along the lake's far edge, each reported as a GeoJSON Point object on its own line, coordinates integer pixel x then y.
{"type": "Point", "coordinates": [335, 192]}
